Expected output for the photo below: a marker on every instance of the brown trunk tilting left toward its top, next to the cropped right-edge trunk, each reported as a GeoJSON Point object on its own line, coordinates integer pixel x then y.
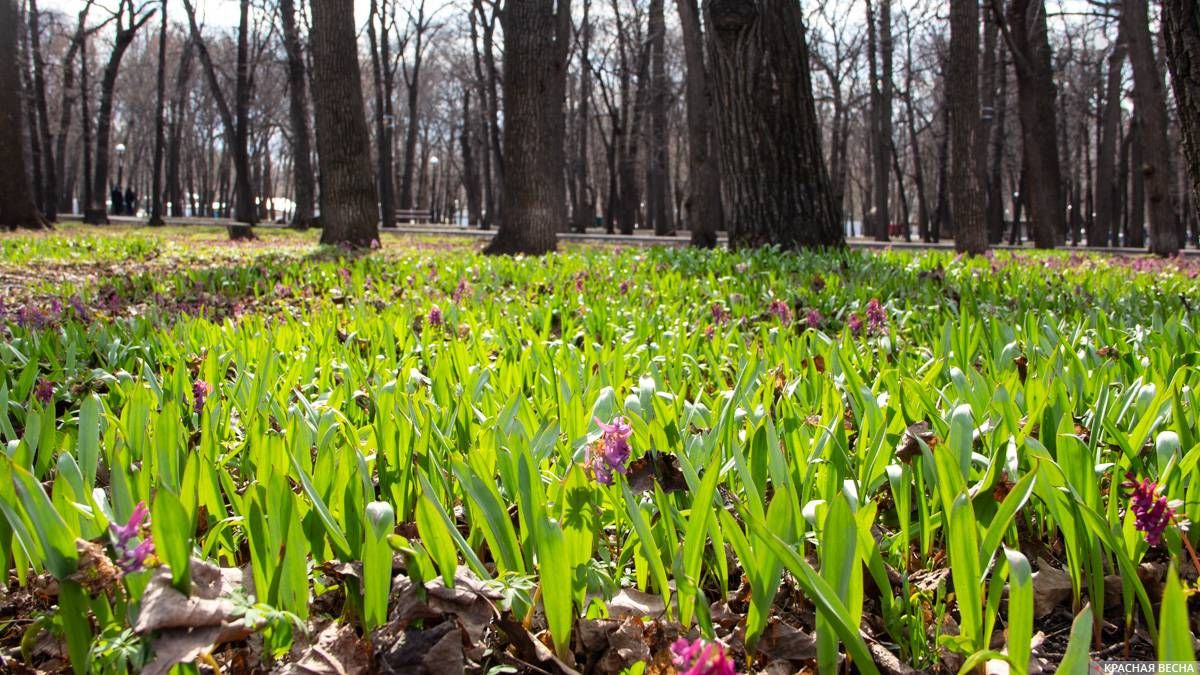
{"type": "Point", "coordinates": [1151, 105]}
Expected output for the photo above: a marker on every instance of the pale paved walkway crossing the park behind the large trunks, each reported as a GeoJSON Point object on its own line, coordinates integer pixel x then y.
{"type": "Point", "coordinates": [640, 238]}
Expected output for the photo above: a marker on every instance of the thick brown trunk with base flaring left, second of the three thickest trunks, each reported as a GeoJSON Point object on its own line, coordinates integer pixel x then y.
{"type": "Point", "coordinates": [536, 55]}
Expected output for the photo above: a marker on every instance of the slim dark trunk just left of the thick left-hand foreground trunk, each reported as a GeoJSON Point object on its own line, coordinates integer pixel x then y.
{"type": "Point", "coordinates": [298, 120]}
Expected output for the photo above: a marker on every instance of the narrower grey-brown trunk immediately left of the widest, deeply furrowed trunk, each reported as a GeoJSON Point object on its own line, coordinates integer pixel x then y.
{"type": "Point", "coordinates": [704, 201]}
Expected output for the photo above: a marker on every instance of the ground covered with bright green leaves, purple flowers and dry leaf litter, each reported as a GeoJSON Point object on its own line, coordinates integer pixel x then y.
{"type": "Point", "coordinates": [274, 457]}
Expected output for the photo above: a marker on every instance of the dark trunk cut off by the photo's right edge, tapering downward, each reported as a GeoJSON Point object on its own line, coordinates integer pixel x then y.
{"type": "Point", "coordinates": [1183, 31]}
